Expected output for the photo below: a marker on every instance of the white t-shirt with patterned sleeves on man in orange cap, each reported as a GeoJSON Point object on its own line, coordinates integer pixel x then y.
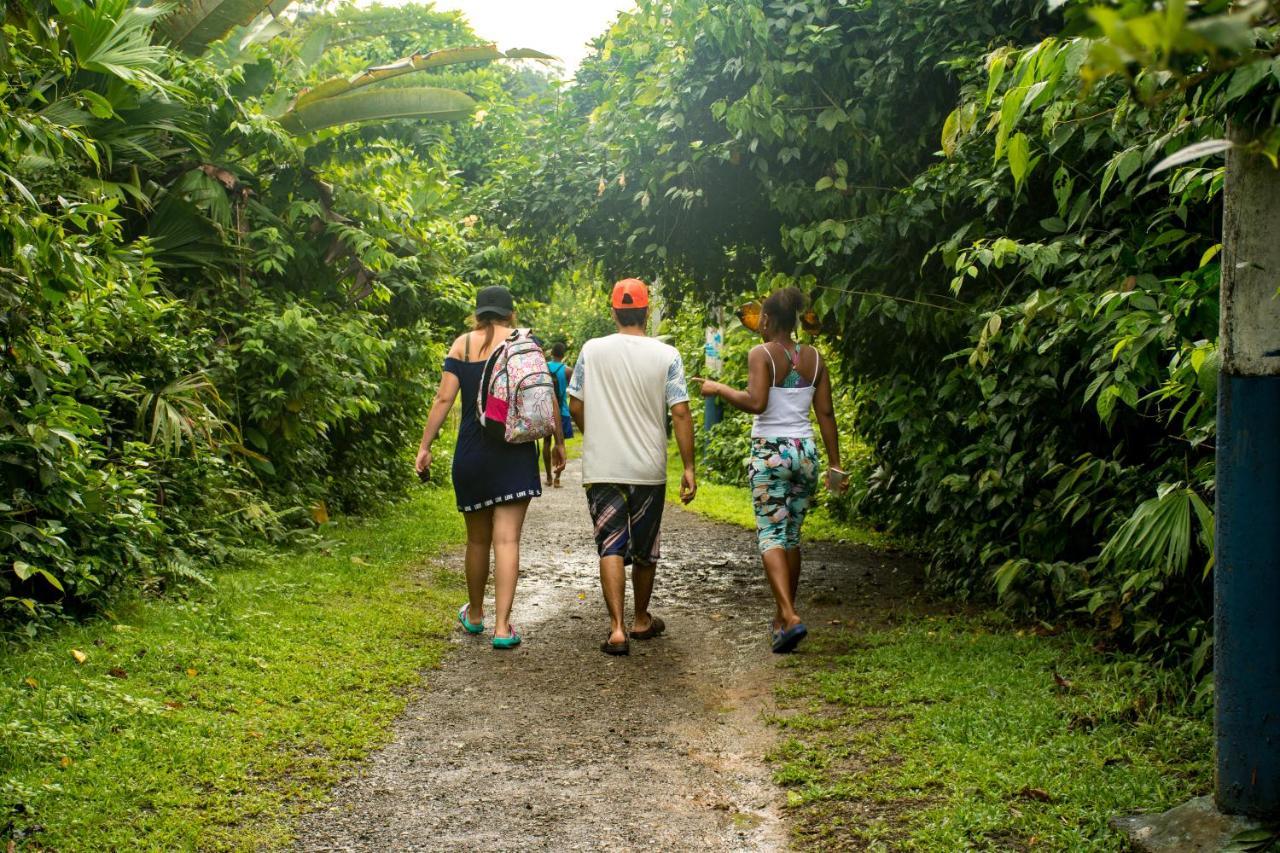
{"type": "Point", "coordinates": [627, 384]}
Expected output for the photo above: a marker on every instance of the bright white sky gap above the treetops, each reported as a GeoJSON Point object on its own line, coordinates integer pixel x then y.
{"type": "Point", "coordinates": [560, 28]}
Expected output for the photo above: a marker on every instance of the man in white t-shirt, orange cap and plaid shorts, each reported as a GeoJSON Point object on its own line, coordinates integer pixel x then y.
{"type": "Point", "coordinates": [623, 387]}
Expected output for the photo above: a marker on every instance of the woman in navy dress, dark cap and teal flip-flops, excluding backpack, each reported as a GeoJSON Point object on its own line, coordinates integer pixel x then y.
{"type": "Point", "coordinates": [493, 481]}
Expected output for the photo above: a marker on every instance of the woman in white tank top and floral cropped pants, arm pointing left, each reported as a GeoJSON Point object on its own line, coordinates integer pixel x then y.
{"type": "Point", "coordinates": [784, 382]}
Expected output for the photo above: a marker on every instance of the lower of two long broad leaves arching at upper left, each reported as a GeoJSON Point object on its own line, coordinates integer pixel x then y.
{"type": "Point", "coordinates": [420, 103]}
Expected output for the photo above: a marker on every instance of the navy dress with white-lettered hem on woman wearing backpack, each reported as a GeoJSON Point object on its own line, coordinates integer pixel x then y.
{"type": "Point", "coordinates": [488, 472]}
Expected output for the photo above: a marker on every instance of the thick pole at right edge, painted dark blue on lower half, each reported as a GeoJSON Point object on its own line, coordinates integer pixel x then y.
{"type": "Point", "coordinates": [1247, 571]}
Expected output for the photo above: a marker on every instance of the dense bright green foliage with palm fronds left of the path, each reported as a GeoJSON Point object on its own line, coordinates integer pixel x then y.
{"type": "Point", "coordinates": [211, 330]}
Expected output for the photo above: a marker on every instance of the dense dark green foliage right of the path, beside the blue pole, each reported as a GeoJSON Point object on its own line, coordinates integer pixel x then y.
{"type": "Point", "coordinates": [1025, 308]}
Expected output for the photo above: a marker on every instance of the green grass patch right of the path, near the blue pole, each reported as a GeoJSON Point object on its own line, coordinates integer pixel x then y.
{"type": "Point", "coordinates": [948, 735]}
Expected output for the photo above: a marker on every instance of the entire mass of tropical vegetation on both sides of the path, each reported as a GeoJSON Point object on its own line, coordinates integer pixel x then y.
{"type": "Point", "coordinates": [236, 236]}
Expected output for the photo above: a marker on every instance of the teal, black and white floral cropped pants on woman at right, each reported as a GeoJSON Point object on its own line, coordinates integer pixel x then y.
{"type": "Point", "coordinates": [784, 476]}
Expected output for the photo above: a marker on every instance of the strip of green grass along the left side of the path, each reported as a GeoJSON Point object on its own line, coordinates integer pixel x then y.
{"type": "Point", "coordinates": [213, 722]}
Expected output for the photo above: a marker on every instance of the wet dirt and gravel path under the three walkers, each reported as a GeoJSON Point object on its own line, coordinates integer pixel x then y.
{"type": "Point", "coordinates": [557, 747]}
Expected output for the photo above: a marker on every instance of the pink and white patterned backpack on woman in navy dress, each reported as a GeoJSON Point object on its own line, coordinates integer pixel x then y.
{"type": "Point", "coordinates": [518, 394]}
